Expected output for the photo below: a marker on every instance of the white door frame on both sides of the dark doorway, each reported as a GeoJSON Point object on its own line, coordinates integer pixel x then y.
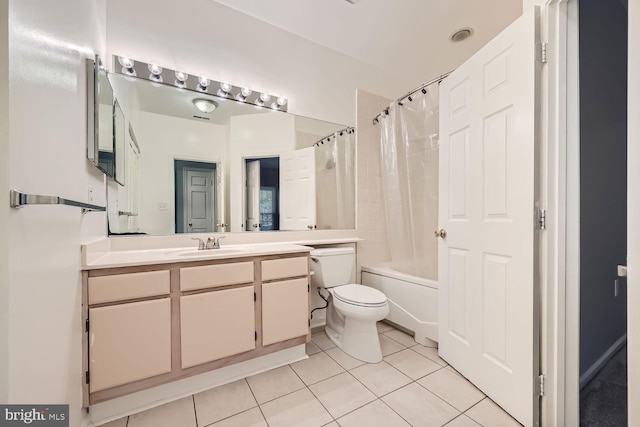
{"type": "Point", "coordinates": [561, 304]}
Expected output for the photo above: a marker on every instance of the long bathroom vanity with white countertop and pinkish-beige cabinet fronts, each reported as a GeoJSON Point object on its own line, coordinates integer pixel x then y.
{"type": "Point", "coordinates": [157, 316]}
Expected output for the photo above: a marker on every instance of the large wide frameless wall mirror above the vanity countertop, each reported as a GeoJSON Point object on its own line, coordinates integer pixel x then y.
{"type": "Point", "coordinates": [194, 162]}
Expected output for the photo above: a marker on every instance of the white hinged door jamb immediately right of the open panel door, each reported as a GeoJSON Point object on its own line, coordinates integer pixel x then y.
{"type": "Point", "coordinates": [556, 127]}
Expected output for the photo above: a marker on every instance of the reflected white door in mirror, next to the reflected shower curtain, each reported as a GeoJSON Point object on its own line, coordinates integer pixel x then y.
{"type": "Point", "coordinates": [298, 190]}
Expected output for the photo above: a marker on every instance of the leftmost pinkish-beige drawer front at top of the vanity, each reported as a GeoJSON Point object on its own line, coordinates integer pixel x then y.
{"type": "Point", "coordinates": [128, 286]}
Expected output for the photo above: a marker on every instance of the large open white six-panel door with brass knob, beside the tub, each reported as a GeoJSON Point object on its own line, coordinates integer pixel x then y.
{"type": "Point", "coordinates": [486, 261]}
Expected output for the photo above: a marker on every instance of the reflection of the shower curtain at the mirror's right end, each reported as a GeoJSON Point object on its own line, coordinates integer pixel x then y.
{"type": "Point", "coordinates": [335, 181]}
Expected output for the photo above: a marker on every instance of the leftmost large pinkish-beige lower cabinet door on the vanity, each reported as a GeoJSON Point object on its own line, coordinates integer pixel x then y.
{"type": "Point", "coordinates": [129, 342]}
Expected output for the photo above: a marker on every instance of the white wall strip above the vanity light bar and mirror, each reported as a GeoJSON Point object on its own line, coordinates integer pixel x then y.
{"type": "Point", "coordinates": [202, 36]}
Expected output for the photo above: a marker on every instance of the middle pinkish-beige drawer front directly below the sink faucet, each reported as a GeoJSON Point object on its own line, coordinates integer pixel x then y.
{"type": "Point", "coordinates": [211, 276]}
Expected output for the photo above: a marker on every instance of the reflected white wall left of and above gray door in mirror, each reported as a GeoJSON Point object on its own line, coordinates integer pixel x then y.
{"type": "Point", "coordinates": [163, 139]}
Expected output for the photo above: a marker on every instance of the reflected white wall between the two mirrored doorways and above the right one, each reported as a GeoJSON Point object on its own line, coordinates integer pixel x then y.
{"type": "Point", "coordinates": [254, 135]}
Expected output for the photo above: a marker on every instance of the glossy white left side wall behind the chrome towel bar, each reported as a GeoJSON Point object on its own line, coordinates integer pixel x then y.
{"type": "Point", "coordinates": [47, 155]}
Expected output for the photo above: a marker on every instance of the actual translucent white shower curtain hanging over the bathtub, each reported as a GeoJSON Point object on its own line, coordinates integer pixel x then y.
{"type": "Point", "coordinates": [409, 169]}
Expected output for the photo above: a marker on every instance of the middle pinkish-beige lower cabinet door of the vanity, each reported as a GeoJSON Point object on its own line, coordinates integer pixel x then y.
{"type": "Point", "coordinates": [216, 324]}
